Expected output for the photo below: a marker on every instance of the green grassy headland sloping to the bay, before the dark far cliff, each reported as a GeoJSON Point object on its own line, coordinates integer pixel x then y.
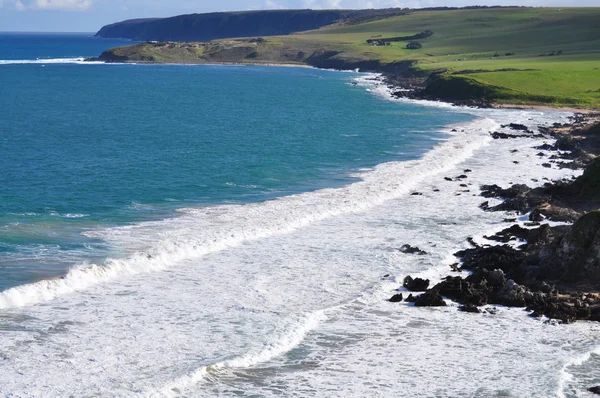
{"type": "Point", "coordinates": [506, 55]}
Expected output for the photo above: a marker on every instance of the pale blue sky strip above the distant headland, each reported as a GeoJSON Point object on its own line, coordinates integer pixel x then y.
{"type": "Point", "coordinates": [91, 15]}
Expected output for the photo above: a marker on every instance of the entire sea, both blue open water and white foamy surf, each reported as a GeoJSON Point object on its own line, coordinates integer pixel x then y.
{"type": "Point", "coordinates": [210, 230]}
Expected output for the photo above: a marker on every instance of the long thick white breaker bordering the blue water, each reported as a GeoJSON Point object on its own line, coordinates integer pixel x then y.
{"type": "Point", "coordinates": [201, 231]}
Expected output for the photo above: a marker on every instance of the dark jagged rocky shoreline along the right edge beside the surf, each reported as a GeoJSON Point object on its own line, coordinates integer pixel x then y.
{"type": "Point", "coordinates": [552, 271]}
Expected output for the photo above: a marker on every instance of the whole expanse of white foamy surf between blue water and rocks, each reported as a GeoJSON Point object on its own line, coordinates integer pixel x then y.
{"type": "Point", "coordinates": [219, 322]}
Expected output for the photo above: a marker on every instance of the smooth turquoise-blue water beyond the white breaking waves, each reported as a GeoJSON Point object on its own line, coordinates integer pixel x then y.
{"type": "Point", "coordinates": [90, 146]}
